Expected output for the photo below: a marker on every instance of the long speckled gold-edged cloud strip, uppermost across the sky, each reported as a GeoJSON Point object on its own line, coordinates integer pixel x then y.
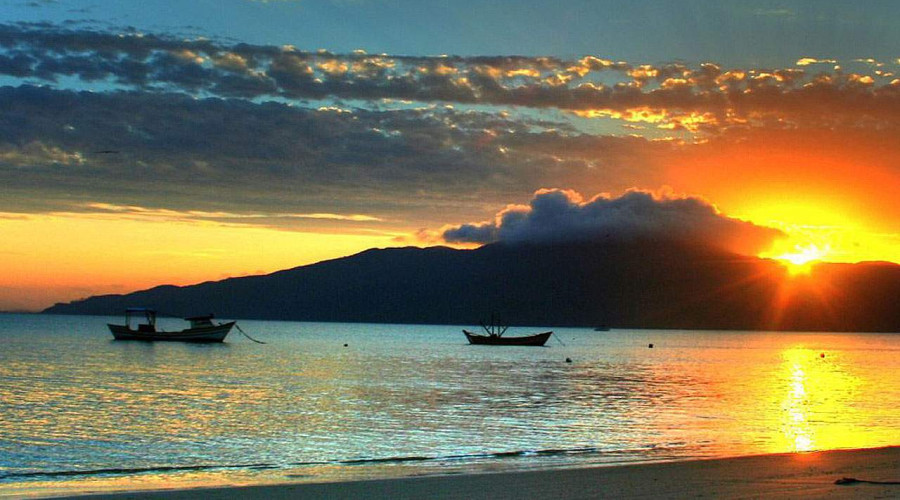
{"type": "Point", "coordinates": [589, 86]}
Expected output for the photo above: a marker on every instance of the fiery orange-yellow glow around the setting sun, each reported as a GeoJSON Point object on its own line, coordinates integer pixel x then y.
{"type": "Point", "coordinates": [835, 196]}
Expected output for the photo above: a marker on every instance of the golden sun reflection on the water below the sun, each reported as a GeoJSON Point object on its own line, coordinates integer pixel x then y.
{"type": "Point", "coordinates": [777, 393]}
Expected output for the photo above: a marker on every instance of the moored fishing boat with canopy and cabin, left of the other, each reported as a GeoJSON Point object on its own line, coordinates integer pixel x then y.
{"type": "Point", "coordinates": [202, 328]}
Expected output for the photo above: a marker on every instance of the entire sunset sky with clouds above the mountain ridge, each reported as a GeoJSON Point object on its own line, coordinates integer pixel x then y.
{"type": "Point", "coordinates": [159, 142]}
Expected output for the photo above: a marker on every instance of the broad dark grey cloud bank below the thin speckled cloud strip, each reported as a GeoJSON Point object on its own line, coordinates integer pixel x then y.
{"type": "Point", "coordinates": [178, 152]}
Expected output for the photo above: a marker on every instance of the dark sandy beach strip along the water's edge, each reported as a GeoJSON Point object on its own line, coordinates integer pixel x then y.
{"type": "Point", "coordinates": [804, 475]}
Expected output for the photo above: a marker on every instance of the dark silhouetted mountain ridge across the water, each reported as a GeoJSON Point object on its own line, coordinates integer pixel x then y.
{"type": "Point", "coordinates": [617, 285]}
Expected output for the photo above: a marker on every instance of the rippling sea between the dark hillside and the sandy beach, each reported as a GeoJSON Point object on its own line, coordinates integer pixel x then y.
{"type": "Point", "coordinates": [81, 412]}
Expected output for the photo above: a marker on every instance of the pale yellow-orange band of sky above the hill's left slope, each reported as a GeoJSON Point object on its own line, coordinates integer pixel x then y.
{"type": "Point", "coordinates": [60, 258]}
